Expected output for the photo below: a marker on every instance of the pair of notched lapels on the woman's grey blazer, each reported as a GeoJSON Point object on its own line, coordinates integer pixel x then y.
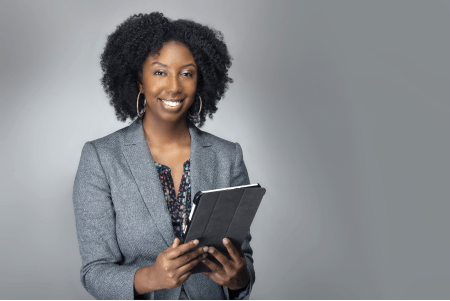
{"type": "Point", "coordinates": [142, 166]}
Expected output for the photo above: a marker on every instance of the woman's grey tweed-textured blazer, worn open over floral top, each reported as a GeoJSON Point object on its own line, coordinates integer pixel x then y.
{"type": "Point", "coordinates": [122, 219]}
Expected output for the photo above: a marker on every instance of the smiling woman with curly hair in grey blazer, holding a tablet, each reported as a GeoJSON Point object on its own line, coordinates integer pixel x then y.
{"type": "Point", "coordinates": [133, 188]}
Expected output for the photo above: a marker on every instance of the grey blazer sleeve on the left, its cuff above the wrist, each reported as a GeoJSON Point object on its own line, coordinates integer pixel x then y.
{"type": "Point", "coordinates": [101, 274]}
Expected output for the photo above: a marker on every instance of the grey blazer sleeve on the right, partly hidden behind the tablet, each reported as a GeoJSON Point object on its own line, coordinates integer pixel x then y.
{"type": "Point", "coordinates": [240, 177]}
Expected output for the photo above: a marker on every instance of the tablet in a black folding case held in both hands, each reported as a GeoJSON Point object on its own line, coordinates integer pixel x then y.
{"type": "Point", "coordinates": [220, 214]}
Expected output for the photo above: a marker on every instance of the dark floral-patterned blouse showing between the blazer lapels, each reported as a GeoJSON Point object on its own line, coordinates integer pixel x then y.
{"type": "Point", "coordinates": [179, 206]}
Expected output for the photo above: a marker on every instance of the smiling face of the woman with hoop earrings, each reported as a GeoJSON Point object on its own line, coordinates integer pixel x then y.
{"type": "Point", "coordinates": [169, 82]}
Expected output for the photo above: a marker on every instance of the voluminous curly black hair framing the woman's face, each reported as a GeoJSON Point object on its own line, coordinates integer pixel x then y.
{"type": "Point", "coordinates": [144, 34]}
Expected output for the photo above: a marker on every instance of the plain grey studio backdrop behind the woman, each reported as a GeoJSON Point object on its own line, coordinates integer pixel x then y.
{"type": "Point", "coordinates": [341, 108]}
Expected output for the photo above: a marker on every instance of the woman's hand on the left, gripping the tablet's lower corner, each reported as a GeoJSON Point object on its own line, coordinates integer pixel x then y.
{"type": "Point", "coordinates": [172, 268]}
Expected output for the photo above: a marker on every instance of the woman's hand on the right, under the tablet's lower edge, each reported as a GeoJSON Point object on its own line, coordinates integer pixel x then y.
{"type": "Point", "coordinates": [234, 273]}
